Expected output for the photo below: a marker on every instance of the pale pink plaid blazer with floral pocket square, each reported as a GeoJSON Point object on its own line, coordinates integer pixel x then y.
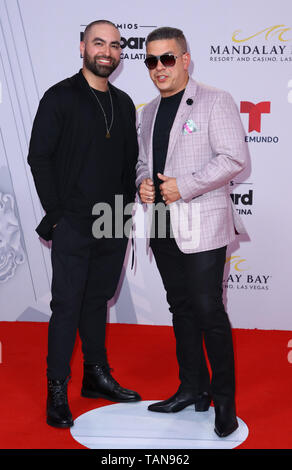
{"type": "Point", "coordinates": [206, 150]}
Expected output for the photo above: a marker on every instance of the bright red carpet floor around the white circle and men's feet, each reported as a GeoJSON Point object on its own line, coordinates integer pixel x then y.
{"type": "Point", "coordinates": [142, 358]}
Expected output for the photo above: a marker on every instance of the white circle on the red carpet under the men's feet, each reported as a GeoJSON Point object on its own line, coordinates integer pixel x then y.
{"type": "Point", "coordinates": [133, 426]}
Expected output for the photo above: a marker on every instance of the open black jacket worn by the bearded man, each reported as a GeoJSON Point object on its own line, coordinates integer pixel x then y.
{"type": "Point", "coordinates": [61, 135]}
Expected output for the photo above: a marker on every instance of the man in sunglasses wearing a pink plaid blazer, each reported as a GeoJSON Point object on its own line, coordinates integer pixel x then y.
{"type": "Point", "coordinates": [191, 146]}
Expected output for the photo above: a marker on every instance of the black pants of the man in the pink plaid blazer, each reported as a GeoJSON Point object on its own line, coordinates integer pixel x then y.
{"type": "Point", "coordinates": [193, 284]}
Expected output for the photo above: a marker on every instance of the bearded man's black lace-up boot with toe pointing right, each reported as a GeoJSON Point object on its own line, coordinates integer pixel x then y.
{"type": "Point", "coordinates": [99, 383]}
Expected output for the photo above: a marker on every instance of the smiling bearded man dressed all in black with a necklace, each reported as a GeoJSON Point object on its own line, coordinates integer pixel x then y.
{"type": "Point", "coordinates": [83, 150]}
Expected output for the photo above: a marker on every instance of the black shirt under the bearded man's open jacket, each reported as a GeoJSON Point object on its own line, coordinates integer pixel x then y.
{"type": "Point", "coordinates": [100, 179]}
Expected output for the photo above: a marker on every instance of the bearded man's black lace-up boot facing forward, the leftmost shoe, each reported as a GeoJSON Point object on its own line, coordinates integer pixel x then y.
{"type": "Point", "coordinates": [58, 412]}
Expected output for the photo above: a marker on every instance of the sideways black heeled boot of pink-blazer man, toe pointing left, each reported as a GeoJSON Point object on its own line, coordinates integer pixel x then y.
{"type": "Point", "coordinates": [180, 400]}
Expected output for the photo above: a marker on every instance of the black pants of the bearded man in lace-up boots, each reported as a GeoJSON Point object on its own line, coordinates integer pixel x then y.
{"type": "Point", "coordinates": [86, 272]}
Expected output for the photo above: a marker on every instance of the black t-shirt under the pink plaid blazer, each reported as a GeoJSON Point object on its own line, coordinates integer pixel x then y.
{"type": "Point", "coordinates": [164, 120]}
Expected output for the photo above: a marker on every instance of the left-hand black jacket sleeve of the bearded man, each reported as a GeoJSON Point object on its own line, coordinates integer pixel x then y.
{"type": "Point", "coordinates": [46, 131]}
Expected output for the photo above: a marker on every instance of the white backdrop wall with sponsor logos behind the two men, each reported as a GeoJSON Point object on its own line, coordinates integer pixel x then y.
{"type": "Point", "coordinates": [242, 47]}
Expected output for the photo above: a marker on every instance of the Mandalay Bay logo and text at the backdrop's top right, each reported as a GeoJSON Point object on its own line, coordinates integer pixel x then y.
{"type": "Point", "coordinates": [271, 44]}
